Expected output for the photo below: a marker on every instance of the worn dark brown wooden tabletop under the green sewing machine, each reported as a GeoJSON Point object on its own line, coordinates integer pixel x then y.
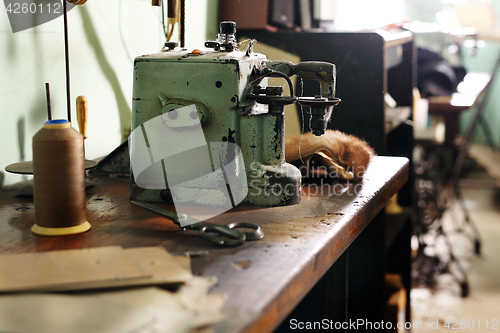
{"type": "Point", "coordinates": [265, 279]}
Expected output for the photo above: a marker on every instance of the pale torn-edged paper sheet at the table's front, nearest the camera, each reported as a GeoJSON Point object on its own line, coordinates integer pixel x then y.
{"type": "Point", "coordinates": [138, 310]}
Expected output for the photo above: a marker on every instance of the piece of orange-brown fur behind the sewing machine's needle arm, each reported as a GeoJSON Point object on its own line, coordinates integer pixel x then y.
{"type": "Point", "coordinates": [344, 155]}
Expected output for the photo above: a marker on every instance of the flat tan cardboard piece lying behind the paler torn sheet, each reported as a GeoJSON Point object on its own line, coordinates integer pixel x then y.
{"type": "Point", "coordinates": [93, 268]}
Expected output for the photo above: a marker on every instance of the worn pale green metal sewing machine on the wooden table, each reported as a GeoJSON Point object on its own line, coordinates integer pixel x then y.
{"type": "Point", "coordinates": [207, 131]}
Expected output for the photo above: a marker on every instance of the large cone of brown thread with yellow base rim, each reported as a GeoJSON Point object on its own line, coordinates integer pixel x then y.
{"type": "Point", "coordinates": [59, 182]}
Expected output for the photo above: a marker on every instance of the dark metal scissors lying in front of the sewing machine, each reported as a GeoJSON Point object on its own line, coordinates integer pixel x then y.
{"type": "Point", "coordinates": [234, 237]}
